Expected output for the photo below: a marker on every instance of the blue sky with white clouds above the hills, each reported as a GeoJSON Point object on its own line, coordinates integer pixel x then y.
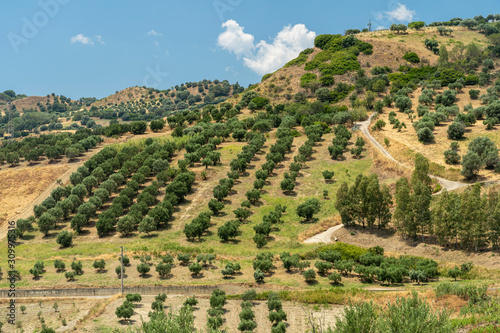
{"type": "Point", "coordinates": [92, 48]}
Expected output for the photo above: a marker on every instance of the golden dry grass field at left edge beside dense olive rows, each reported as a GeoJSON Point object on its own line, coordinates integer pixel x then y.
{"type": "Point", "coordinates": [19, 187]}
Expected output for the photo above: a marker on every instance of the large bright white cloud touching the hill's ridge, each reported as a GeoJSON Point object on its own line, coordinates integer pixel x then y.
{"type": "Point", "coordinates": [266, 57]}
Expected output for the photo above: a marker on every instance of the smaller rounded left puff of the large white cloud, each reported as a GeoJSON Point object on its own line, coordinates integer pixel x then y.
{"type": "Point", "coordinates": [235, 40]}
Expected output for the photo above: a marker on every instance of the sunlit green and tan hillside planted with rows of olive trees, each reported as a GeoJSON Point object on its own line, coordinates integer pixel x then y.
{"type": "Point", "coordinates": [208, 185]}
